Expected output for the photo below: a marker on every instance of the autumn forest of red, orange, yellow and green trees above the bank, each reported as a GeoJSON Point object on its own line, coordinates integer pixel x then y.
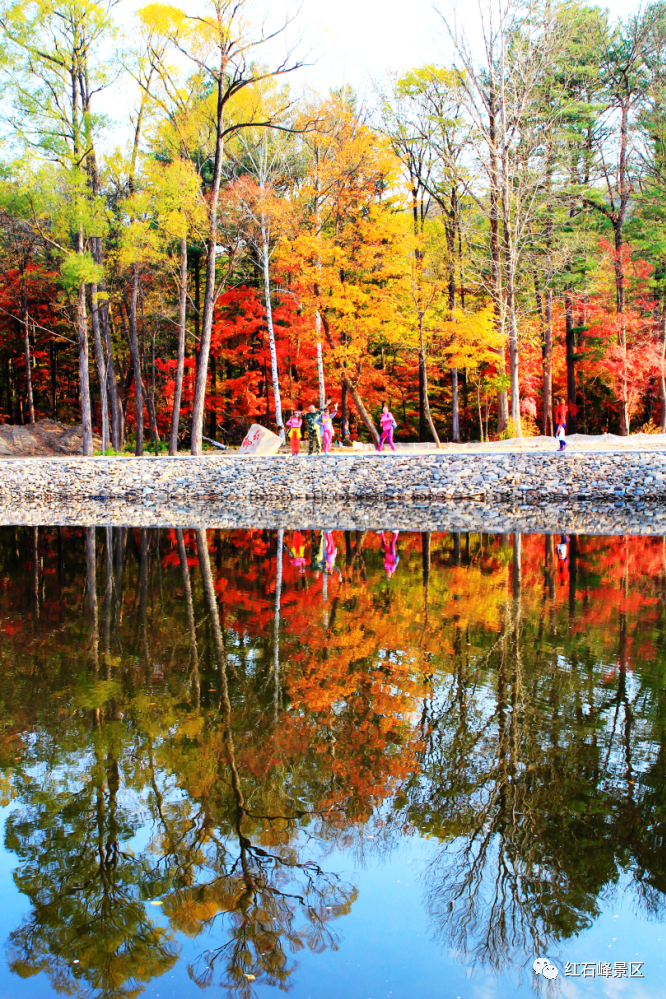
{"type": "Point", "coordinates": [469, 241]}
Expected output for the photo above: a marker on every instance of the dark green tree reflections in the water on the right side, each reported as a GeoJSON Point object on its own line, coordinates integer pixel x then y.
{"type": "Point", "coordinates": [531, 778]}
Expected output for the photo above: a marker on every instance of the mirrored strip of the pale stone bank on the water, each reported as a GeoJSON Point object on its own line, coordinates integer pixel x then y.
{"type": "Point", "coordinates": [409, 514]}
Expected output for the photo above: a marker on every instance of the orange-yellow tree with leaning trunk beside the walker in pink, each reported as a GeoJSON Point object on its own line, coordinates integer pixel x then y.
{"type": "Point", "coordinates": [349, 256]}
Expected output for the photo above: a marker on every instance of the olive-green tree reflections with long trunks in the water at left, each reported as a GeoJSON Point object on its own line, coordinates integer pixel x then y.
{"type": "Point", "coordinates": [215, 855]}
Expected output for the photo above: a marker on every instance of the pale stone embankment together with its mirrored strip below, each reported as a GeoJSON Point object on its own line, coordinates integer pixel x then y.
{"type": "Point", "coordinates": [578, 492]}
